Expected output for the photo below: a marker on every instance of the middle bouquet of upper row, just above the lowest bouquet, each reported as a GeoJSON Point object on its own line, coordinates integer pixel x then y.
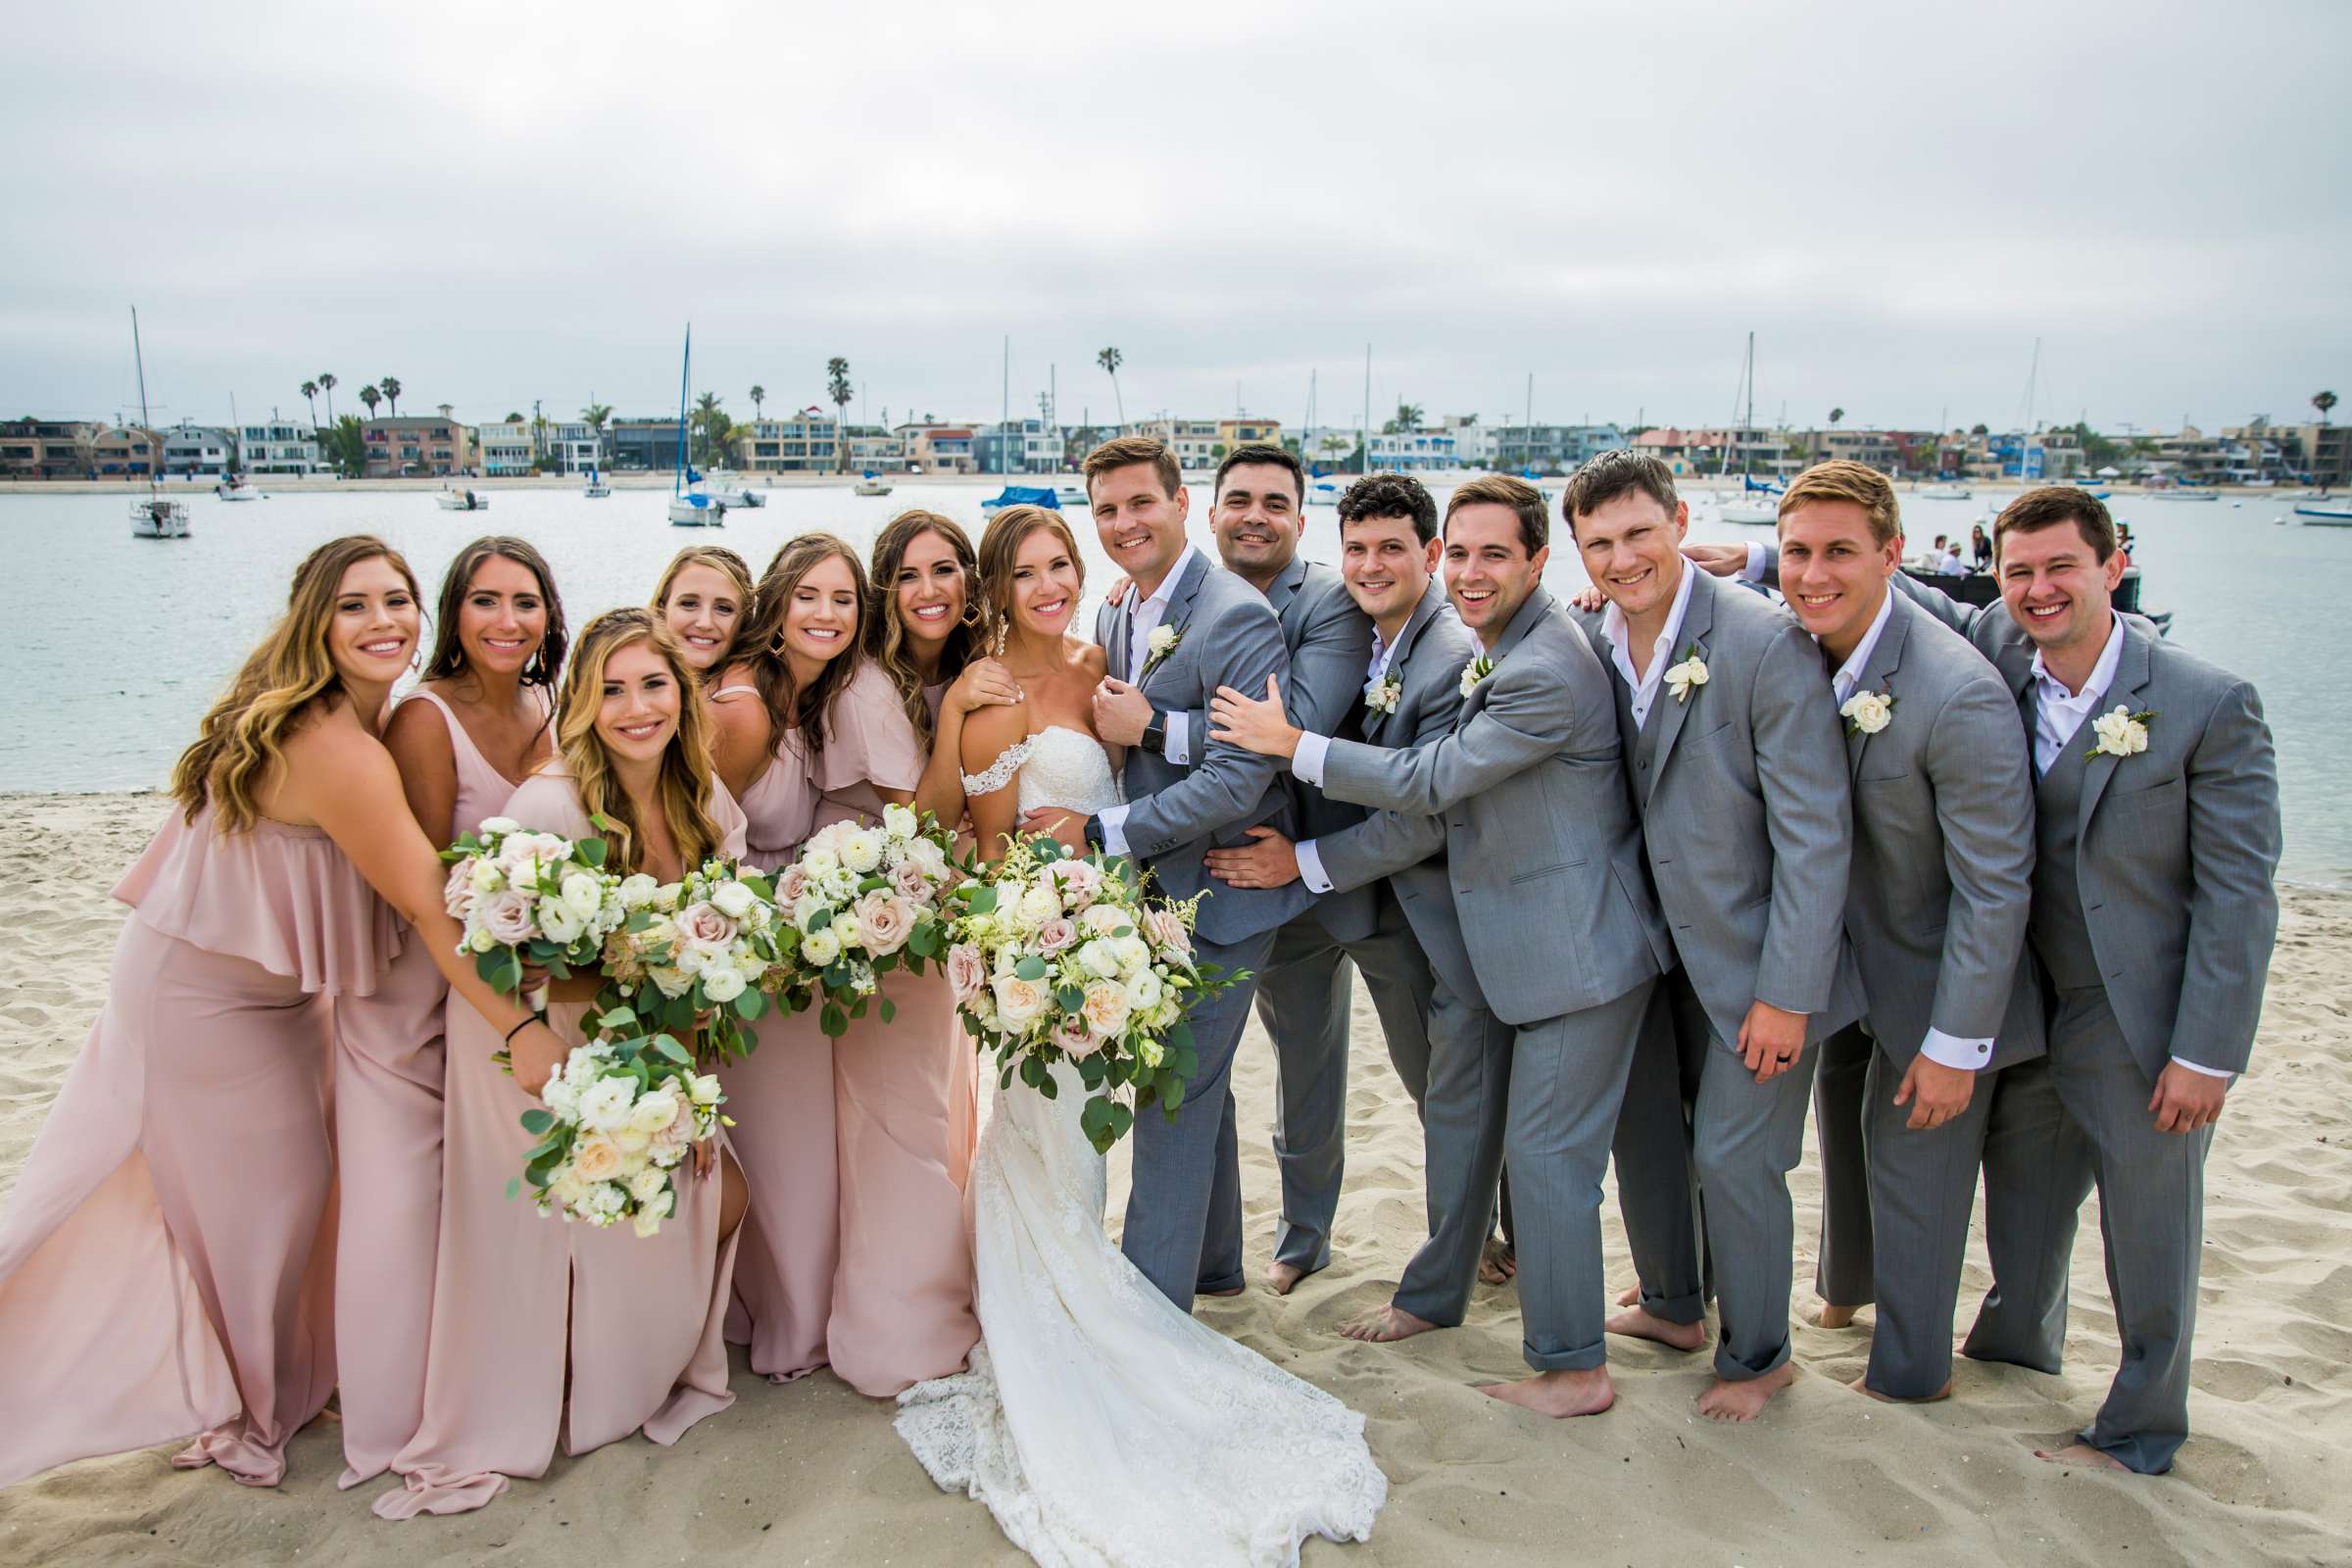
{"type": "Point", "coordinates": [690, 956]}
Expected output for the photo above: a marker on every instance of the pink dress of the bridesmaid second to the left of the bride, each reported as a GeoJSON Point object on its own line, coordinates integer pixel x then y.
{"type": "Point", "coordinates": [782, 1104]}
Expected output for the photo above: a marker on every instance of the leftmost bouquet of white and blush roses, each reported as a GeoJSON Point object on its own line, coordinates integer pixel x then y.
{"type": "Point", "coordinates": [530, 897]}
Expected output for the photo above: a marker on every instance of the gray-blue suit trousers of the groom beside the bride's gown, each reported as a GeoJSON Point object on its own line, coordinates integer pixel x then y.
{"type": "Point", "coordinates": [1184, 1217]}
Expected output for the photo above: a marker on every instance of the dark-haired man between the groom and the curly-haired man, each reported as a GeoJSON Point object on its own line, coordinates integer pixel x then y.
{"type": "Point", "coordinates": [1304, 991]}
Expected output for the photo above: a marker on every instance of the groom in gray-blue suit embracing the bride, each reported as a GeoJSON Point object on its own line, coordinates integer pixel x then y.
{"type": "Point", "coordinates": [1187, 631]}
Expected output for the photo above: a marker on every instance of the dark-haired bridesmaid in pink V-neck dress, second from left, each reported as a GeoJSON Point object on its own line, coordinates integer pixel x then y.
{"type": "Point", "coordinates": [465, 739]}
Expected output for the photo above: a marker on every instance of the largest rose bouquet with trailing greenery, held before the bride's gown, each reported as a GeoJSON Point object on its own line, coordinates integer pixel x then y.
{"type": "Point", "coordinates": [1062, 958]}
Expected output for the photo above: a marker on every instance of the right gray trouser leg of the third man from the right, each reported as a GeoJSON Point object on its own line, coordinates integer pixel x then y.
{"type": "Point", "coordinates": [1746, 1139]}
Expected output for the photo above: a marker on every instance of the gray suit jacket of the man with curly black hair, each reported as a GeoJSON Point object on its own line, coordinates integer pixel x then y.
{"type": "Point", "coordinates": [1410, 850]}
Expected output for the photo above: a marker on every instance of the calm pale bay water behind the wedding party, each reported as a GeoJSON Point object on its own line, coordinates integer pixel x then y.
{"type": "Point", "coordinates": [116, 645]}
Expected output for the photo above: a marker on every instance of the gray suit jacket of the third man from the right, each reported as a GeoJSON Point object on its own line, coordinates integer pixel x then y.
{"type": "Point", "coordinates": [1746, 815]}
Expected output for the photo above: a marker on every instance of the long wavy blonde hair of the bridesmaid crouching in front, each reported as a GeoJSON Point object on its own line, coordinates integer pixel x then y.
{"type": "Point", "coordinates": [686, 765]}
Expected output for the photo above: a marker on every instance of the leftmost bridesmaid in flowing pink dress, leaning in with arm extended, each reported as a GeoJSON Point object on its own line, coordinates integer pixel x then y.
{"type": "Point", "coordinates": [166, 1257]}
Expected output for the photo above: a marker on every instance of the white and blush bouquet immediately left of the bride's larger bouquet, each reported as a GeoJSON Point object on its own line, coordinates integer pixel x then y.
{"type": "Point", "coordinates": [864, 902]}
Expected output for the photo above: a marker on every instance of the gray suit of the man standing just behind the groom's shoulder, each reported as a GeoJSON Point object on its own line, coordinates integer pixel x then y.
{"type": "Point", "coordinates": [1304, 991]}
